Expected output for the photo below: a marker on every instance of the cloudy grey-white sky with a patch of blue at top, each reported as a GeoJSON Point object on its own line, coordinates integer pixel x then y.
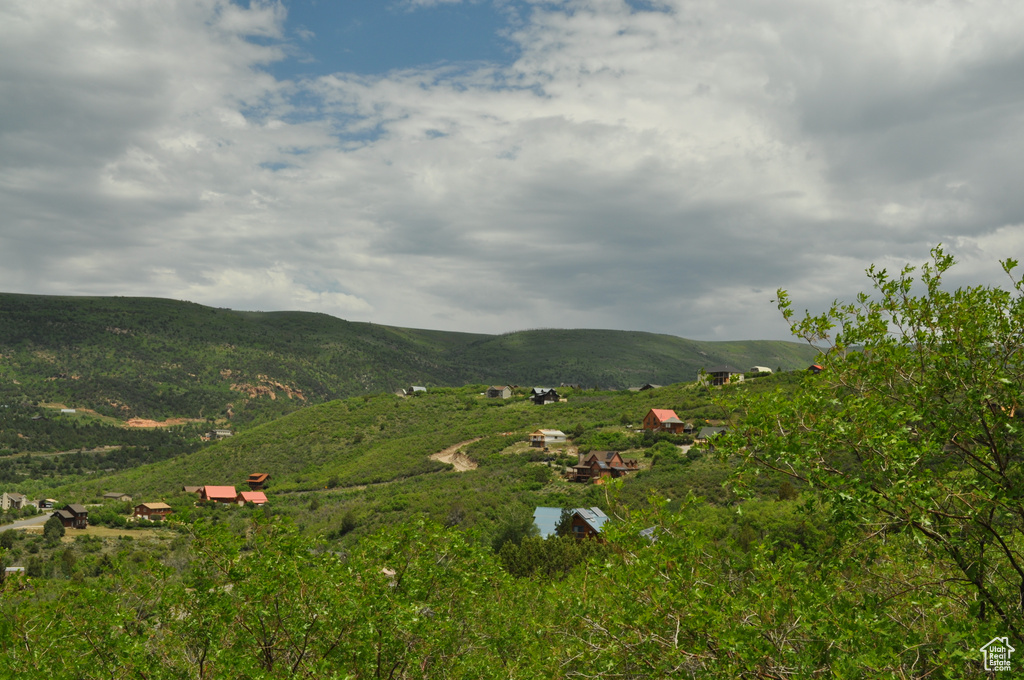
{"type": "Point", "coordinates": [495, 165]}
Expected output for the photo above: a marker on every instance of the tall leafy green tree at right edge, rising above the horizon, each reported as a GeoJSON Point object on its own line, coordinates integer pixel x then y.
{"type": "Point", "coordinates": [914, 426]}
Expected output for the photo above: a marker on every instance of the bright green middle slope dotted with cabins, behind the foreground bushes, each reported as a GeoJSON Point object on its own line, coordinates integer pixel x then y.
{"type": "Point", "coordinates": [372, 455]}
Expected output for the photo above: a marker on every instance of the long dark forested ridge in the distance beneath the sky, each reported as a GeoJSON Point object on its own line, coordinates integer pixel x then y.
{"type": "Point", "coordinates": [160, 359]}
